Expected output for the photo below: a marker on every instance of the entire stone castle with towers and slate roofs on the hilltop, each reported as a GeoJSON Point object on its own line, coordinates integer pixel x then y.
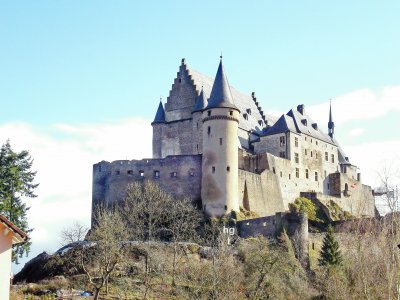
{"type": "Point", "coordinates": [215, 145]}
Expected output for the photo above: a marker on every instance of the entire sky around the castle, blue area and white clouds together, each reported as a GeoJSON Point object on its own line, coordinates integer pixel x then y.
{"type": "Point", "coordinates": [80, 80]}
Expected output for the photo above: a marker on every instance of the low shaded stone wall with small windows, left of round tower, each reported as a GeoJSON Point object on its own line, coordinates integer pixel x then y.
{"type": "Point", "coordinates": [179, 176]}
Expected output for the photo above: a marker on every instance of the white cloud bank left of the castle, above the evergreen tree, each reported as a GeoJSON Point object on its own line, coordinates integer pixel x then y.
{"type": "Point", "coordinates": [63, 157]}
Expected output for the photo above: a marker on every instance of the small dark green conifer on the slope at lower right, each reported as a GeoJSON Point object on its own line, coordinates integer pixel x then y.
{"type": "Point", "coordinates": [330, 252]}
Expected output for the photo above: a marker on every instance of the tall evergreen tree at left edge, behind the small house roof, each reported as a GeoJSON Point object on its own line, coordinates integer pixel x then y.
{"type": "Point", "coordinates": [16, 182]}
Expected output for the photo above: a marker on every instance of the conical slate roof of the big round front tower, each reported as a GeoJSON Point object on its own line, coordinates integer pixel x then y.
{"type": "Point", "coordinates": [221, 93]}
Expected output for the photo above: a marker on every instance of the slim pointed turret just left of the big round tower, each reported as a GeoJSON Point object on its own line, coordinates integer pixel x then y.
{"type": "Point", "coordinates": [197, 123]}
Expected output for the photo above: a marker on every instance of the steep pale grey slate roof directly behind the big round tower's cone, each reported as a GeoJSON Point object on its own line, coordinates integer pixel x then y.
{"type": "Point", "coordinates": [242, 101]}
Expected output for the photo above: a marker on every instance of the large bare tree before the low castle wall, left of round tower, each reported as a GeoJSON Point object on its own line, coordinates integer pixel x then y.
{"type": "Point", "coordinates": [153, 215]}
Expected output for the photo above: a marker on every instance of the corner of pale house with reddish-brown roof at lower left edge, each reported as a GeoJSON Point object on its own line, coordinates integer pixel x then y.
{"type": "Point", "coordinates": [9, 236]}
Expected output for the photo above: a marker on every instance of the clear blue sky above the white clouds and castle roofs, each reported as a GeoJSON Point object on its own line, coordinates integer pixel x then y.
{"type": "Point", "coordinates": [89, 61]}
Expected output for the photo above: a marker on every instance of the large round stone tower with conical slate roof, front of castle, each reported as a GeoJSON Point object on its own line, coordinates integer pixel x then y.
{"type": "Point", "coordinates": [219, 189]}
